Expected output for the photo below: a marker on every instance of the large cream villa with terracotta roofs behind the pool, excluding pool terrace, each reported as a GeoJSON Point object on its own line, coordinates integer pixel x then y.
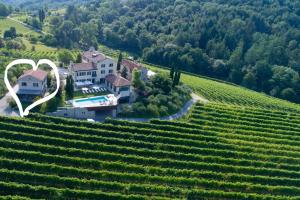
{"type": "Point", "coordinates": [101, 70]}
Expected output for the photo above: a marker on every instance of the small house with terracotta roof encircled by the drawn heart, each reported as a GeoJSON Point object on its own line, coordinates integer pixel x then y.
{"type": "Point", "coordinates": [31, 84]}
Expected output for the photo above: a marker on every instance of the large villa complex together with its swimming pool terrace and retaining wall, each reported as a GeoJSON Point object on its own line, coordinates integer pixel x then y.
{"type": "Point", "coordinates": [98, 72]}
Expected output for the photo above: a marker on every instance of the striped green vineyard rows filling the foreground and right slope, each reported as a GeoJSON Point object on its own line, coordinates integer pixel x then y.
{"type": "Point", "coordinates": [224, 150]}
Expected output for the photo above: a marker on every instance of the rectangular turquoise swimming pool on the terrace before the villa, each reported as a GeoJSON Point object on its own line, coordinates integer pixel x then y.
{"type": "Point", "coordinates": [92, 101]}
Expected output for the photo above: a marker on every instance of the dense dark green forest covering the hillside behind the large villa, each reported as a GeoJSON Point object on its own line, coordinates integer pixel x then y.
{"type": "Point", "coordinates": [254, 43]}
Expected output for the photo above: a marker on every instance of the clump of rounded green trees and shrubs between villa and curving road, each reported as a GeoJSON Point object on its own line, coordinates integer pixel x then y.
{"type": "Point", "coordinates": [156, 97]}
